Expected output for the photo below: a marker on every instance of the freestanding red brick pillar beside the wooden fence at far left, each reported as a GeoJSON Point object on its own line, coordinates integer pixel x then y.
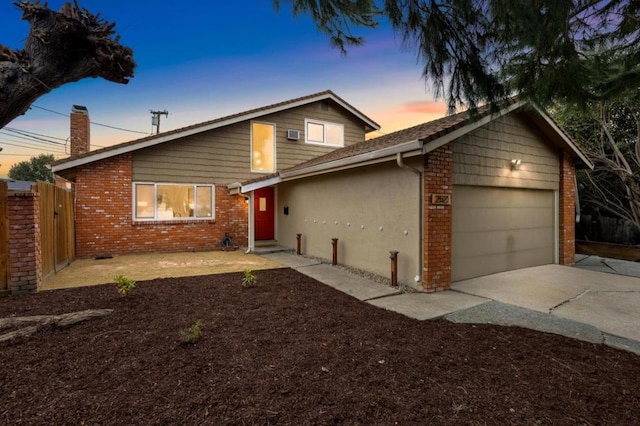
{"type": "Point", "coordinates": [25, 260]}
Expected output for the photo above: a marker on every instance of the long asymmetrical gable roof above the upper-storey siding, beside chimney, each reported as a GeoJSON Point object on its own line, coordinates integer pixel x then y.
{"type": "Point", "coordinates": [125, 147]}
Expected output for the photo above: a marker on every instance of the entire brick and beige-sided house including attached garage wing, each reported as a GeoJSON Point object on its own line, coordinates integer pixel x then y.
{"type": "Point", "coordinates": [463, 196]}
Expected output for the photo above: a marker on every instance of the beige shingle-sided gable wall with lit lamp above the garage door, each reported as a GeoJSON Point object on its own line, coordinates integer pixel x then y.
{"type": "Point", "coordinates": [483, 157]}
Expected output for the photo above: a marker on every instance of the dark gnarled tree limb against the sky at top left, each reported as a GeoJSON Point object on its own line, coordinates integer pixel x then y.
{"type": "Point", "coordinates": [61, 47]}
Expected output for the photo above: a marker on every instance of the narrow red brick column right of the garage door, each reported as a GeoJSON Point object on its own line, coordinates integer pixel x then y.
{"type": "Point", "coordinates": [567, 225]}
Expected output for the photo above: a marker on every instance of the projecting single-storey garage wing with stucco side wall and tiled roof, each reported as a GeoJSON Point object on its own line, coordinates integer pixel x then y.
{"type": "Point", "coordinates": [463, 196]}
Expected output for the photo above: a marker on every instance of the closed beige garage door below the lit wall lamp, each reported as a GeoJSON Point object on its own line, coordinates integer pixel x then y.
{"type": "Point", "coordinates": [501, 229]}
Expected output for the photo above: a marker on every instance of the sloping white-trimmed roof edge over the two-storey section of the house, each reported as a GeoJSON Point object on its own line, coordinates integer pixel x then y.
{"type": "Point", "coordinates": [104, 154]}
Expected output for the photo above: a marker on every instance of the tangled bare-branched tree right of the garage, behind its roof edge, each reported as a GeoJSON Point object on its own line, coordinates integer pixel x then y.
{"type": "Point", "coordinates": [609, 132]}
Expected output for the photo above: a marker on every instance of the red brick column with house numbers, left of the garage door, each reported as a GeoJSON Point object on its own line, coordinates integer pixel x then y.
{"type": "Point", "coordinates": [438, 179]}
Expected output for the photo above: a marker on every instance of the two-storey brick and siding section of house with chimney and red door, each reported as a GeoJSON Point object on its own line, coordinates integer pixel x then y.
{"type": "Point", "coordinates": [169, 192]}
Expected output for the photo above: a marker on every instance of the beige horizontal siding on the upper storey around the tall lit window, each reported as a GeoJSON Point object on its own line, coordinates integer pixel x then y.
{"type": "Point", "coordinates": [222, 155]}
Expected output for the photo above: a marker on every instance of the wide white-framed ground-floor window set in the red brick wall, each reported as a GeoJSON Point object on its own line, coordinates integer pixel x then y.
{"type": "Point", "coordinates": [165, 201]}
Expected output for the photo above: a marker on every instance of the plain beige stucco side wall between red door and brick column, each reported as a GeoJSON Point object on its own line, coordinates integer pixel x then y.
{"type": "Point", "coordinates": [371, 210]}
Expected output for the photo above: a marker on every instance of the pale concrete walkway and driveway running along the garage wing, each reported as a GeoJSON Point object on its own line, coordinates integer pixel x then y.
{"type": "Point", "coordinates": [581, 302]}
